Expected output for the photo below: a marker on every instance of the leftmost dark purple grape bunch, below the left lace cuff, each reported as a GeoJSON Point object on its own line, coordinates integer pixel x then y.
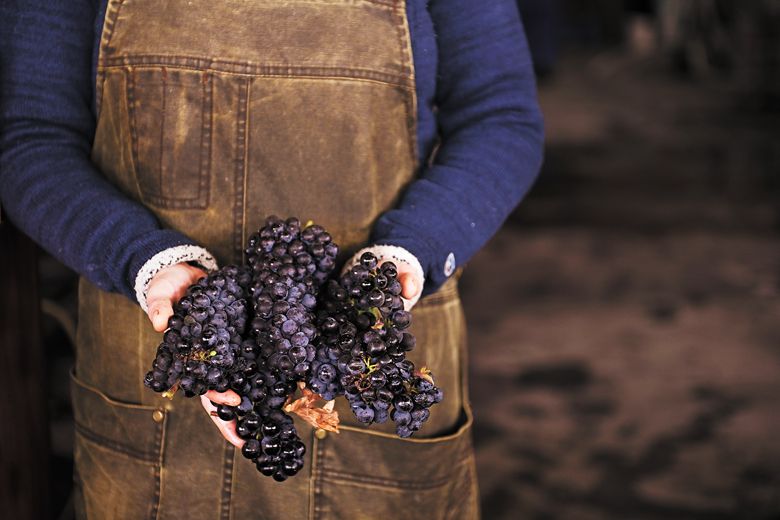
{"type": "Point", "coordinates": [199, 351]}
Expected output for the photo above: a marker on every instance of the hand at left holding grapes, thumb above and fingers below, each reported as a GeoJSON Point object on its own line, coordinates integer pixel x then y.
{"type": "Point", "coordinates": [165, 289]}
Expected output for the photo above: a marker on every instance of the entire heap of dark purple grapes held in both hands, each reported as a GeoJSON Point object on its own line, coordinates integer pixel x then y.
{"type": "Point", "coordinates": [264, 328]}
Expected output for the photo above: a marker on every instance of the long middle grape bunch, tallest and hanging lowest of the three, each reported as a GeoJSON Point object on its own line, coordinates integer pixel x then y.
{"type": "Point", "coordinates": [288, 265]}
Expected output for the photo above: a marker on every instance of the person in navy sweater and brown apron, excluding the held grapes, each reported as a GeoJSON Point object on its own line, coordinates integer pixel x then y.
{"type": "Point", "coordinates": [143, 141]}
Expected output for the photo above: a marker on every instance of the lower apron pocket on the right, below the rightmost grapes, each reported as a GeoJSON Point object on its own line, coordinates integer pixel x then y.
{"type": "Point", "coordinates": [362, 474]}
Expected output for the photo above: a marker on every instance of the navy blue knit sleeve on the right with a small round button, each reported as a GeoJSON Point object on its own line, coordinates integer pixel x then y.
{"type": "Point", "coordinates": [491, 134]}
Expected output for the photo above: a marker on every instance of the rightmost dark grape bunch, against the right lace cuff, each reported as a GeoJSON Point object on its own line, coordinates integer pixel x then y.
{"type": "Point", "coordinates": [361, 350]}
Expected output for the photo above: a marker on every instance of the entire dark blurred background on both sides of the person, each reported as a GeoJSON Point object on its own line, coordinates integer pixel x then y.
{"type": "Point", "coordinates": [624, 324]}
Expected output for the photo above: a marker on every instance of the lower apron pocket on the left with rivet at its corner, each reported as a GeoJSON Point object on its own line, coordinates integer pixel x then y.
{"type": "Point", "coordinates": [118, 452]}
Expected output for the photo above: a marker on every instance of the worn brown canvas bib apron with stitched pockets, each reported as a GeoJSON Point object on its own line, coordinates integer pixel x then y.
{"type": "Point", "coordinates": [214, 115]}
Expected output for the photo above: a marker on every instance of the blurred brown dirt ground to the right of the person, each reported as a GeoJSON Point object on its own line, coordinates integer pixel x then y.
{"type": "Point", "coordinates": [624, 324]}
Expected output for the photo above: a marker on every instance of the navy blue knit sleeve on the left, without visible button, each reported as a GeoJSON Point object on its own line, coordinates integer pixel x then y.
{"type": "Point", "coordinates": [48, 185]}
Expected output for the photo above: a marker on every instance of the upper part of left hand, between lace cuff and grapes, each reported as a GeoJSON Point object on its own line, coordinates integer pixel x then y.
{"type": "Point", "coordinates": [166, 288]}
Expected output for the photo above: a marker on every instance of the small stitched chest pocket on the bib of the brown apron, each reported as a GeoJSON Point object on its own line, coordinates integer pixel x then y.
{"type": "Point", "coordinates": [170, 127]}
